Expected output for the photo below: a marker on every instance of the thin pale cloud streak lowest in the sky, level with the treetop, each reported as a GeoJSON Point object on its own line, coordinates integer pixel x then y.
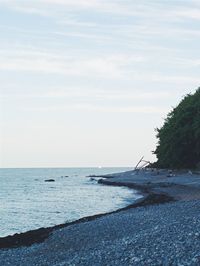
{"type": "Point", "coordinates": [82, 93]}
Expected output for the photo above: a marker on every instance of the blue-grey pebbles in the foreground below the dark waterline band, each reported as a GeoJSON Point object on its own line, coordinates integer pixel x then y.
{"type": "Point", "coordinates": [165, 234]}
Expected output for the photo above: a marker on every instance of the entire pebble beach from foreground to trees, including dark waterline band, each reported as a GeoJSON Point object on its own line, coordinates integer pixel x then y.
{"type": "Point", "coordinates": [180, 214]}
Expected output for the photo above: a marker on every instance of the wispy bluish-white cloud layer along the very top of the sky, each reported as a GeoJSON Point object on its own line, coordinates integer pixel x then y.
{"type": "Point", "coordinates": [147, 20]}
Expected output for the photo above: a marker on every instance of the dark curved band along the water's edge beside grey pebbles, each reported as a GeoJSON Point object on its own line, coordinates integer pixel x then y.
{"type": "Point", "coordinates": [37, 236]}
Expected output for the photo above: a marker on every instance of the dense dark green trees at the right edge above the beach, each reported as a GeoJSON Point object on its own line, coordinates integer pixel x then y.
{"type": "Point", "coordinates": [179, 137]}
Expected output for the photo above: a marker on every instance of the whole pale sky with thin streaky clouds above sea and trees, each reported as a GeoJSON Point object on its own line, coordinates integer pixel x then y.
{"type": "Point", "coordinates": [84, 83]}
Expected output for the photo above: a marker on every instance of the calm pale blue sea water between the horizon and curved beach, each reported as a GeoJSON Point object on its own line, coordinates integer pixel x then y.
{"type": "Point", "coordinates": [28, 202]}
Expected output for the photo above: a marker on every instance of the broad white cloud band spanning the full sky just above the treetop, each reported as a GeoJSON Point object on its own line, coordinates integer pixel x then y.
{"type": "Point", "coordinates": [112, 66]}
